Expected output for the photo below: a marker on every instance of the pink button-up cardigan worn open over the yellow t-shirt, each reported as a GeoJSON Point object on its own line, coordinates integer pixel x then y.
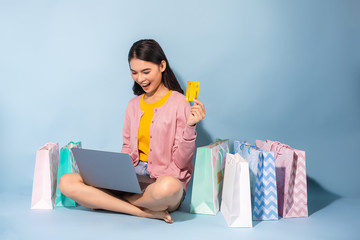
{"type": "Point", "coordinates": [172, 141]}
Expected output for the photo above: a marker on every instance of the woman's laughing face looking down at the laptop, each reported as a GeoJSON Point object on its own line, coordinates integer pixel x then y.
{"type": "Point", "coordinates": [147, 74]}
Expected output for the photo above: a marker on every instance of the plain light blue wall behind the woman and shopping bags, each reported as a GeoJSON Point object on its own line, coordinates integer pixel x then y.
{"type": "Point", "coordinates": [279, 70]}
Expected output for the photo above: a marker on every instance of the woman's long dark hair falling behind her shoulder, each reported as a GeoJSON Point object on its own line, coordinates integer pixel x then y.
{"type": "Point", "coordinates": [149, 50]}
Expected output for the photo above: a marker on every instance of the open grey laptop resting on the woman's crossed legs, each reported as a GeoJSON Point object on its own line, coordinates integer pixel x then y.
{"type": "Point", "coordinates": [109, 170]}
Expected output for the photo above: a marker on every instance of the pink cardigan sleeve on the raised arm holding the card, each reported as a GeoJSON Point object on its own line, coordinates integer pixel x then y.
{"type": "Point", "coordinates": [184, 145]}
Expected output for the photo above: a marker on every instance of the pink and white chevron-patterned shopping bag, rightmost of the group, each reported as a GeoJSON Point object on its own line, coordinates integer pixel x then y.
{"type": "Point", "coordinates": [291, 178]}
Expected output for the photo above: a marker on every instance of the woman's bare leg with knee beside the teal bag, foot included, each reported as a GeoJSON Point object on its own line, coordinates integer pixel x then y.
{"type": "Point", "coordinates": [73, 186]}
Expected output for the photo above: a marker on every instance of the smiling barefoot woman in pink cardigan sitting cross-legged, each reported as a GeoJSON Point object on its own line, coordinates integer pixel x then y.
{"type": "Point", "coordinates": [159, 135]}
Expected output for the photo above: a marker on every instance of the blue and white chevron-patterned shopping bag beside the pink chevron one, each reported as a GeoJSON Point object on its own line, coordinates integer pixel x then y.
{"type": "Point", "coordinates": [262, 180]}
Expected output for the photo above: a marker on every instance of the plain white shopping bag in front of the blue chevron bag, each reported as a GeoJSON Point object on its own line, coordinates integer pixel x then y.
{"type": "Point", "coordinates": [236, 202]}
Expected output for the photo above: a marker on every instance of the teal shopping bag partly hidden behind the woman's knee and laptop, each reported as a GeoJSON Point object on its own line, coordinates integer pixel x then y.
{"type": "Point", "coordinates": [67, 164]}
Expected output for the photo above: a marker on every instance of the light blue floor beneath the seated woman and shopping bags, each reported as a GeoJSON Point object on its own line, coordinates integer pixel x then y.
{"type": "Point", "coordinates": [331, 217]}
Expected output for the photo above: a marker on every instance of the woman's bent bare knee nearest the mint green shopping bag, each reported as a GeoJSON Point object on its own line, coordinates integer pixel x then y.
{"type": "Point", "coordinates": [164, 194]}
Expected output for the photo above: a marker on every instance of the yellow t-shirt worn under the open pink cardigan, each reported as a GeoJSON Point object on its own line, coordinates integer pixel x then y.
{"type": "Point", "coordinates": [145, 122]}
